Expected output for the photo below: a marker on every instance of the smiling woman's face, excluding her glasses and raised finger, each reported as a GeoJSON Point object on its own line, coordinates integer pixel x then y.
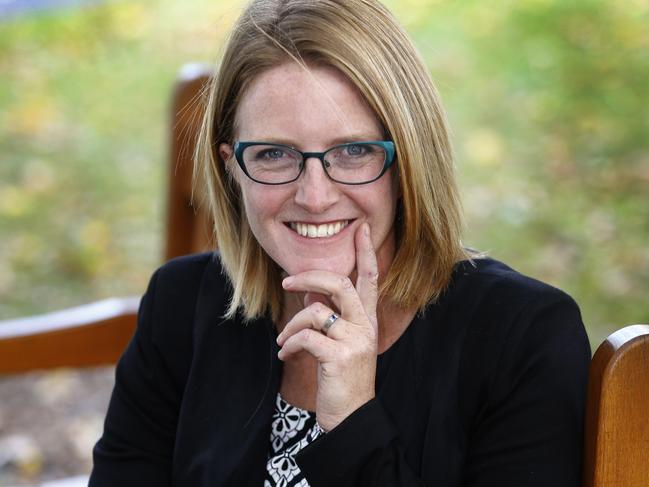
{"type": "Point", "coordinates": [313, 110]}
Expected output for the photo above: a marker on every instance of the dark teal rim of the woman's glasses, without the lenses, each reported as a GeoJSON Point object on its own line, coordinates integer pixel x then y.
{"type": "Point", "coordinates": [386, 145]}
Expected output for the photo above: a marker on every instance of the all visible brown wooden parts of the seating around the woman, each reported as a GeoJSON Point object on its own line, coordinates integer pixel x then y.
{"type": "Point", "coordinates": [617, 426]}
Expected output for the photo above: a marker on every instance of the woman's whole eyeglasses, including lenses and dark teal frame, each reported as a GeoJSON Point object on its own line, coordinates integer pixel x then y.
{"type": "Point", "coordinates": [353, 163]}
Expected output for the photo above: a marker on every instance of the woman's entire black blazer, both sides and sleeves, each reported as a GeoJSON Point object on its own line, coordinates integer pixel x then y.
{"type": "Point", "coordinates": [486, 388]}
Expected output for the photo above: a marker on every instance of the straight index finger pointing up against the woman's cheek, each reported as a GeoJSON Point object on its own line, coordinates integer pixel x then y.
{"type": "Point", "coordinates": [367, 271]}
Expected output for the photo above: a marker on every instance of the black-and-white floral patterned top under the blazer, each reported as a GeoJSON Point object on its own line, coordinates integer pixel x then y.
{"type": "Point", "coordinates": [292, 430]}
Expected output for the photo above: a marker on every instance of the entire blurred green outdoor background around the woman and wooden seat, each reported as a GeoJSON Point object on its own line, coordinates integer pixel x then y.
{"type": "Point", "coordinates": [548, 104]}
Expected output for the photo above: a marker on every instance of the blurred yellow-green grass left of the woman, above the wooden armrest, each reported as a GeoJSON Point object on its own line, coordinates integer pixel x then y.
{"type": "Point", "coordinates": [84, 112]}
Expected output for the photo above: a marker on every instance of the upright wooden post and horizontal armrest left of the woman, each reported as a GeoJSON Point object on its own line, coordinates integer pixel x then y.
{"type": "Point", "coordinates": [95, 334]}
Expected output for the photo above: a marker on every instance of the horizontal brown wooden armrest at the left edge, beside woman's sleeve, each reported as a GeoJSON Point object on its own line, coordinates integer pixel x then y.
{"type": "Point", "coordinates": [83, 336]}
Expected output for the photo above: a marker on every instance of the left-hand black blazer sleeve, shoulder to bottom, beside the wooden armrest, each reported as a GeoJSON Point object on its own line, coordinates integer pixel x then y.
{"type": "Point", "coordinates": [136, 447]}
